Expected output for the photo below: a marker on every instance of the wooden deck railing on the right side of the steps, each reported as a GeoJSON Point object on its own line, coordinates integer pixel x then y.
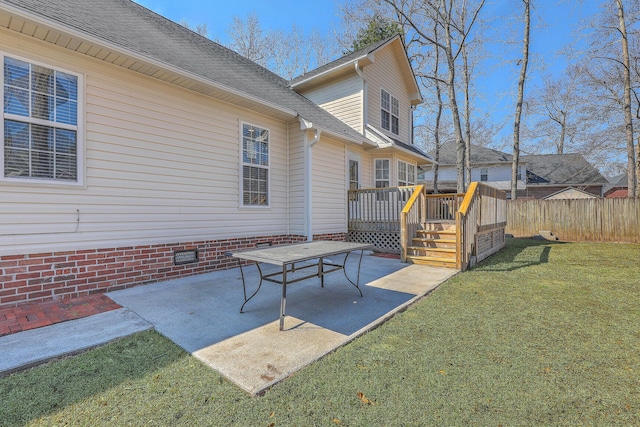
{"type": "Point", "coordinates": [480, 224]}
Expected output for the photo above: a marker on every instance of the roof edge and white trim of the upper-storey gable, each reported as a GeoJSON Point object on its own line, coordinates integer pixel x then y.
{"type": "Point", "coordinates": [364, 56]}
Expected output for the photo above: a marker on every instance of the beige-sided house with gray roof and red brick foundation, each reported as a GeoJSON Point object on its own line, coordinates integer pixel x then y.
{"type": "Point", "coordinates": [136, 151]}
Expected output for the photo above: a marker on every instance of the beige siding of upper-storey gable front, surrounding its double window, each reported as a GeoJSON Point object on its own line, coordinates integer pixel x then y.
{"type": "Point", "coordinates": [385, 74]}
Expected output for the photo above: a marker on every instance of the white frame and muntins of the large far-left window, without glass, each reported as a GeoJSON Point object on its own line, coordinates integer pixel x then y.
{"type": "Point", "coordinates": [78, 128]}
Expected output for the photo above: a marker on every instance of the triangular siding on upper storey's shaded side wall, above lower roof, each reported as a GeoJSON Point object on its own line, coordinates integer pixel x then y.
{"type": "Point", "coordinates": [342, 98]}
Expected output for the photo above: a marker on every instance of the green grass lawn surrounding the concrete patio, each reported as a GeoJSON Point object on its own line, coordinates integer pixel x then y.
{"type": "Point", "coordinates": [541, 333]}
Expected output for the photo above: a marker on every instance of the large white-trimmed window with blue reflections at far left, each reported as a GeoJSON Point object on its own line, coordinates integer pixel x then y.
{"type": "Point", "coordinates": [40, 120]}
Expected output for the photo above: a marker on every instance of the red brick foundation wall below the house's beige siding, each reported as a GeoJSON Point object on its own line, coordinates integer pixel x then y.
{"type": "Point", "coordinates": [47, 276]}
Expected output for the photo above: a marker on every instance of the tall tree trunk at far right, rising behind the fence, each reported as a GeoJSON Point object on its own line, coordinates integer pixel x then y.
{"type": "Point", "coordinates": [628, 118]}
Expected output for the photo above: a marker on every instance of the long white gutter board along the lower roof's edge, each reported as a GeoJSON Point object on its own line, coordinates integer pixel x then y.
{"type": "Point", "coordinates": [161, 64]}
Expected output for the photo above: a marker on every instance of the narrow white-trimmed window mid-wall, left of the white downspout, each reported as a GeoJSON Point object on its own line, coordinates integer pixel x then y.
{"type": "Point", "coordinates": [255, 166]}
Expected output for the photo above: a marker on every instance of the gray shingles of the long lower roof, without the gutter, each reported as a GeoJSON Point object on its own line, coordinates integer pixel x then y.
{"type": "Point", "coordinates": [133, 27]}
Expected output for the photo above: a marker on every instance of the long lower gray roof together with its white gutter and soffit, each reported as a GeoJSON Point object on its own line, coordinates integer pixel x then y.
{"type": "Point", "coordinates": [132, 30]}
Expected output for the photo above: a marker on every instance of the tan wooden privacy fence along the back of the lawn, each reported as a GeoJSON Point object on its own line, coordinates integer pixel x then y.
{"type": "Point", "coordinates": [577, 220]}
